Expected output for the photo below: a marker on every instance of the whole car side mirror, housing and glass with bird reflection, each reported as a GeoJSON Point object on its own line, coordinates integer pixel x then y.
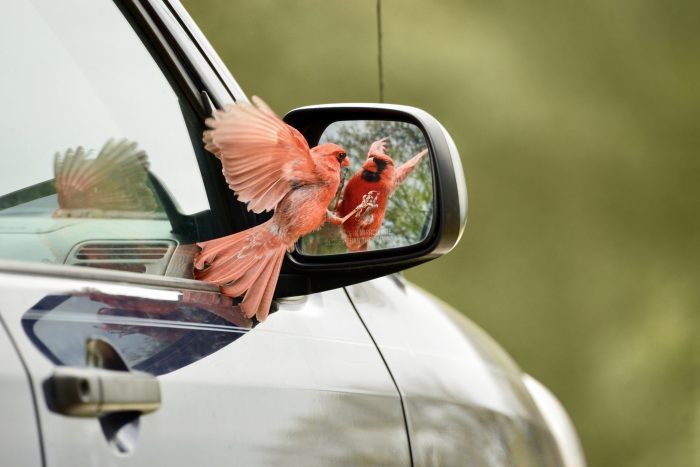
{"type": "Point", "coordinates": [406, 181]}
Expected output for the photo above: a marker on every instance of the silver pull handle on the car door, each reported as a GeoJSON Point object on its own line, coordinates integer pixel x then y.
{"type": "Point", "coordinates": [92, 392]}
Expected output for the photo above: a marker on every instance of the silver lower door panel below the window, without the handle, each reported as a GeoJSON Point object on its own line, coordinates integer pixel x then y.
{"type": "Point", "coordinates": [306, 387]}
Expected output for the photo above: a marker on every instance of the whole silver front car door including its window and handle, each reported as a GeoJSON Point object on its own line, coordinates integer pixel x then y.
{"type": "Point", "coordinates": [105, 190]}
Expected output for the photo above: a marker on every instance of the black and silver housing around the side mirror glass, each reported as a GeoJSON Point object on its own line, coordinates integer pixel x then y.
{"type": "Point", "coordinates": [303, 274]}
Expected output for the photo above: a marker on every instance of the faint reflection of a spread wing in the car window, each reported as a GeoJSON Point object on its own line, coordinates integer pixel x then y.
{"type": "Point", "coordinates": [115, 180]}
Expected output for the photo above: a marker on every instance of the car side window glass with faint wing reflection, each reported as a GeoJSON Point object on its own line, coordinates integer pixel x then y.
{"type": "Point", "coordinates": [98, 164]}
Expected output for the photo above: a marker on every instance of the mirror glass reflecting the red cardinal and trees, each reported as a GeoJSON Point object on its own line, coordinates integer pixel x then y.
{"type": "Point", "coordinates": [385, 197]}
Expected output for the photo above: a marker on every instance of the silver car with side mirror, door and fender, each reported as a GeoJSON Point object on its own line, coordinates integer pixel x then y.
{"type": "Point", "coordinates": [113, 354]}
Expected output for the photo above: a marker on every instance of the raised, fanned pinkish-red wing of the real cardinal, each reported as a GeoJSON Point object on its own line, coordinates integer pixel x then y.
{"type": "Point", "coordinates": [262, 157]}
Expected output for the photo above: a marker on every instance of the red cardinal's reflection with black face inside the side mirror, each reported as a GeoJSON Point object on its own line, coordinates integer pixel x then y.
{"type": "Point", "coordinates": [369, 189]}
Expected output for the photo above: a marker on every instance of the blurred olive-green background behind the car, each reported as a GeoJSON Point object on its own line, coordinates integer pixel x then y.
{"type": "Point", "coordinates": [578, 126]}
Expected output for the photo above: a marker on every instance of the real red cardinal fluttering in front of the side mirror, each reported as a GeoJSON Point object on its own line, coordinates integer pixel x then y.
{"type": "Point", "coordinates": [270, 166]}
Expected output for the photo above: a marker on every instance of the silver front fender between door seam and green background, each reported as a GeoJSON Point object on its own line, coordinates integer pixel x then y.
{"type": "Point", "coordinates": [464, 399]}
